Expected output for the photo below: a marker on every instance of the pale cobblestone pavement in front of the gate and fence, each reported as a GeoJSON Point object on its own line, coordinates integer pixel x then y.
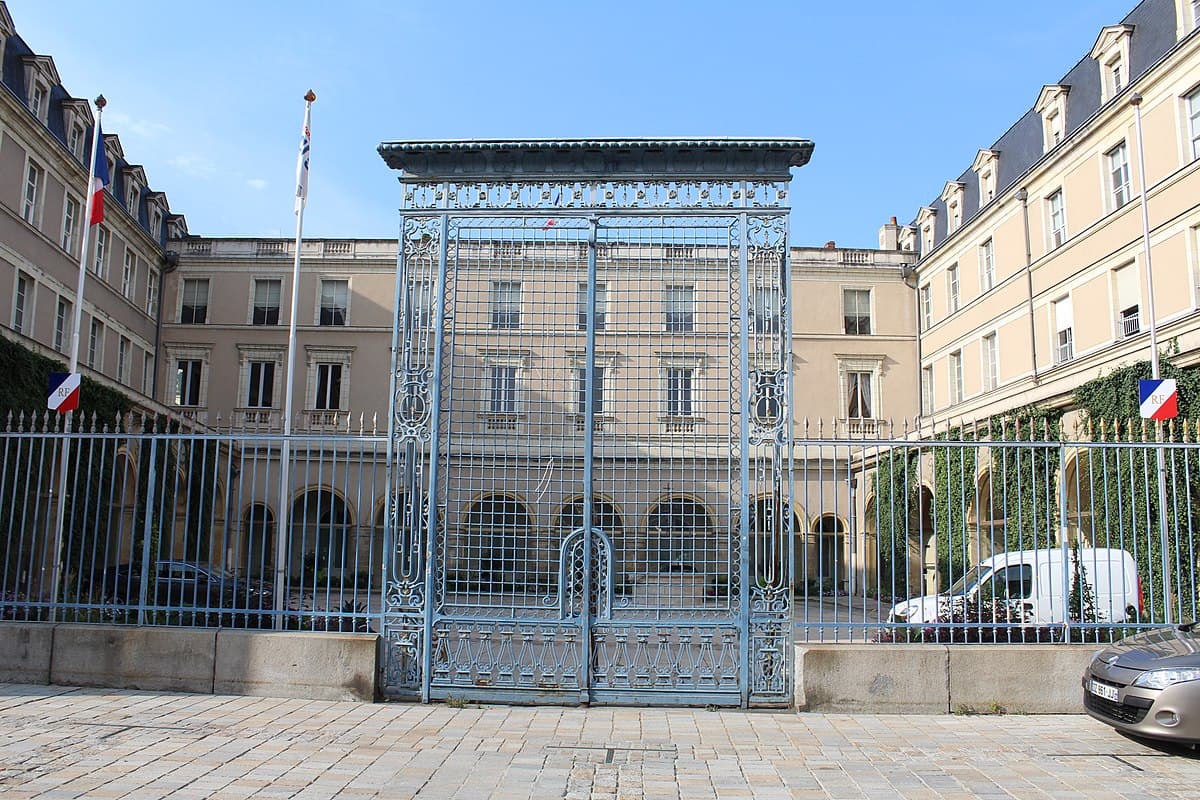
{"type": "Point", "coordinates": [64, 743]}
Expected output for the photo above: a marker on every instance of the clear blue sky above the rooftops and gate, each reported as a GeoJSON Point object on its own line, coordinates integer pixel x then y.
{"type": "Point", "coordinates": [208, 97]}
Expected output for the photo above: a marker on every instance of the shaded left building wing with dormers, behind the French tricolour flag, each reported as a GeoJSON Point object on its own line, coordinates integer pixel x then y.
{"type": "Point", "coordinates": [45, 154]}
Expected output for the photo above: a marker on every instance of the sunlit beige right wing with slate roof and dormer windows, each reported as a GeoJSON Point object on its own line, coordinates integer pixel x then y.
{"type": "Point", "coordinates": [1033, 275]}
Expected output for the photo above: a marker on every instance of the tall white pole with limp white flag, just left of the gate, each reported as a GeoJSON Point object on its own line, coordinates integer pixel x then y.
{"type": "Point", "coordinates": [281, 530]}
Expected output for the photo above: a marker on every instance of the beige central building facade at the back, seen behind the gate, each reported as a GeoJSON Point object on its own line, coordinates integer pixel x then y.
{"type": "Point", "coordinates": [225, 344]}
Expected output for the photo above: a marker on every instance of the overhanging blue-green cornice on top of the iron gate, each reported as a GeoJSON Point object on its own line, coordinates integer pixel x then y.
{"type": "Point", "coordinates": [559, 160]}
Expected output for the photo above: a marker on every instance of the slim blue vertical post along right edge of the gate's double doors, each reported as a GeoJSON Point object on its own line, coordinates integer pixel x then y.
{"type": "Point", "coordinates": [745, 455]}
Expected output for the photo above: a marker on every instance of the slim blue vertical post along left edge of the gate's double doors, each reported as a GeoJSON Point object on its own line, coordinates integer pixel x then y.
{"type": "Point", "coordinates": [431, 520]}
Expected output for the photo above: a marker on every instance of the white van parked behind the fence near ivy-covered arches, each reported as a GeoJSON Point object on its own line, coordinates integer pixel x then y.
{"type": "Point", "coordinates": [1039, 581]}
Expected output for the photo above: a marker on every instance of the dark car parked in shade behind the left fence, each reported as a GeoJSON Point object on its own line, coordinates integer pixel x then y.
{"type": "Point", "coordinates": [201, 593]}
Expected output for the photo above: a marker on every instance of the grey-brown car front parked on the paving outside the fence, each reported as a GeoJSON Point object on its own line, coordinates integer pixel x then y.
{"type": "Point", "coordinates": [1149, 685]}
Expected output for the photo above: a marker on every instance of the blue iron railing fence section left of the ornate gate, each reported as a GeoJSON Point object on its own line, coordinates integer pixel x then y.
{"type": "Point", "coordinates": [171, 525]}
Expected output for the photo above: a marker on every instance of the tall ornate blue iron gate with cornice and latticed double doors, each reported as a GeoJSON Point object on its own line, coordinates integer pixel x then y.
{"type": "Point", "coordinates": [591, 424]}
